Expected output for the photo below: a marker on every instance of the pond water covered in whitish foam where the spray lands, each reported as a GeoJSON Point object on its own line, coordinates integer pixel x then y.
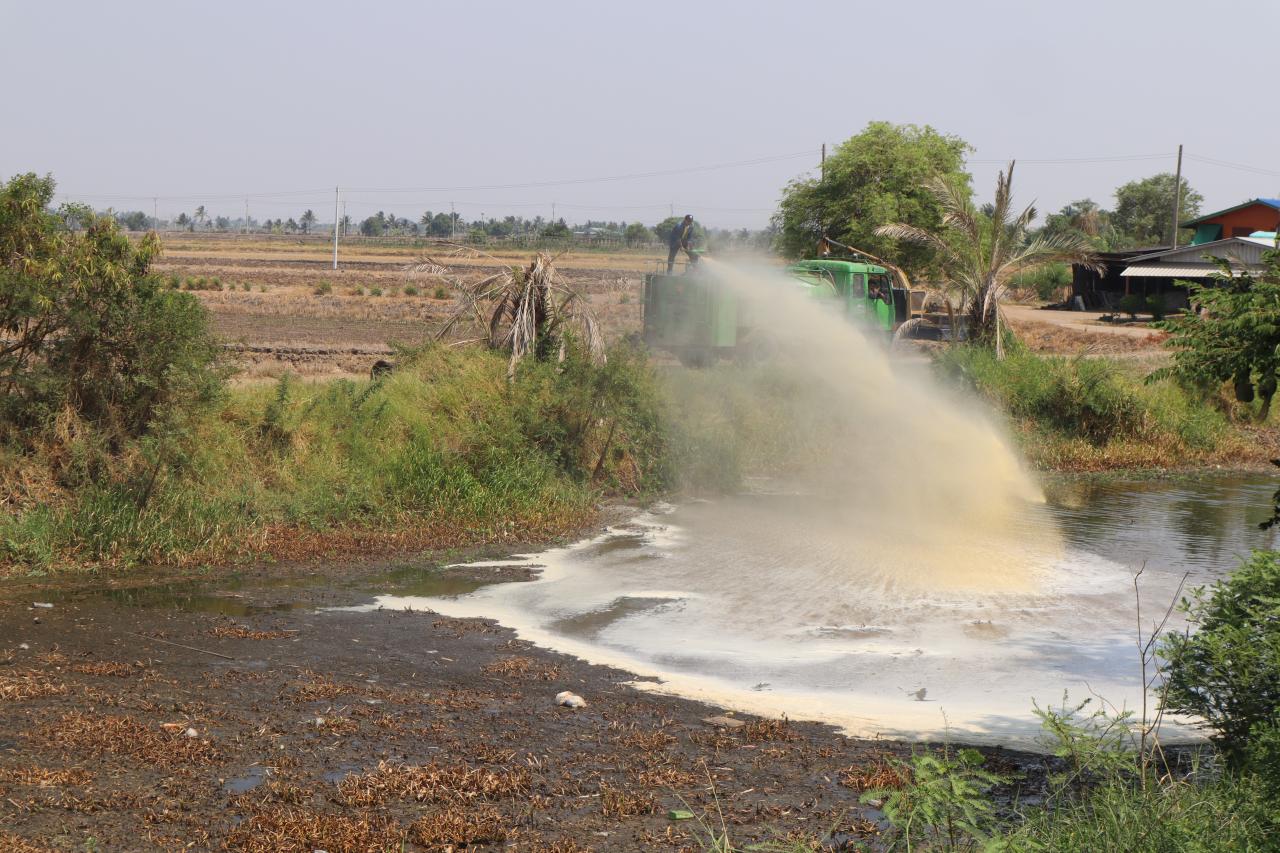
{"type": "Point", "coordinates": [762, 604]}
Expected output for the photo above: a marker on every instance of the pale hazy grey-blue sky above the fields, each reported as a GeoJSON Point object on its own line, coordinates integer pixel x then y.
{"type": "Point", "coordinates": [703, 107]}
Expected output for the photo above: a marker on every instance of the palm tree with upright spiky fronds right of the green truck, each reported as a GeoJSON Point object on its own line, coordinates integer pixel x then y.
{"type": "Point", "coordinates": [981, 253]}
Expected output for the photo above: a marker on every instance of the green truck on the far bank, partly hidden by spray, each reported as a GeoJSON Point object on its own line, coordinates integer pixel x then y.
{"type": "Point", "coordinates": [697, 317]}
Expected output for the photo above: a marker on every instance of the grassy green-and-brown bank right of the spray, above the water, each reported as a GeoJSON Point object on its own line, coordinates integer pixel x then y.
{"type": "Point", "coordinates": [1077, 414]}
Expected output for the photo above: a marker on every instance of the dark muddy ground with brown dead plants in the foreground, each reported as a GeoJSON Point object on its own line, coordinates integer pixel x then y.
{"type": "Point", "coordinates": [248, 715]}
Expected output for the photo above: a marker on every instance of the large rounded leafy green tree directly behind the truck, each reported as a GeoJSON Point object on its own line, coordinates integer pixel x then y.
{"type": "Point", "coordinates": [874, 179]}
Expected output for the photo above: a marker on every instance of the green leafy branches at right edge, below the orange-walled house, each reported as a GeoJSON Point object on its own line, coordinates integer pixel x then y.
{"type": "Point", "coordinates": [1235, 337]}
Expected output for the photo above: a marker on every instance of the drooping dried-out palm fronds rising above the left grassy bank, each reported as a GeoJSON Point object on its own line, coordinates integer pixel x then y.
{"type": "Point", "coordinates": [525, 311]}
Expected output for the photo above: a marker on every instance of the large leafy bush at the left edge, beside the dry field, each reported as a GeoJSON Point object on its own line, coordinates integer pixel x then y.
{"type": "Point", "coordinates": [92, 334]}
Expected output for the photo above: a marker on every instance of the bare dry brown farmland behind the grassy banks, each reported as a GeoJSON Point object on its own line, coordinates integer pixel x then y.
{"type": "Point", "coordinates": [284, 309]}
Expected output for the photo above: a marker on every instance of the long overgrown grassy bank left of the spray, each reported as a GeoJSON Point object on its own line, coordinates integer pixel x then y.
{"type": "Point", "coordinates": [444, 451]}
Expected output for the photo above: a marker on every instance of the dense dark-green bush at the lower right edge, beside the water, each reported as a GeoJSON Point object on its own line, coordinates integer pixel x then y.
{"type": "Point", "coordinates": [1228, 672]}
